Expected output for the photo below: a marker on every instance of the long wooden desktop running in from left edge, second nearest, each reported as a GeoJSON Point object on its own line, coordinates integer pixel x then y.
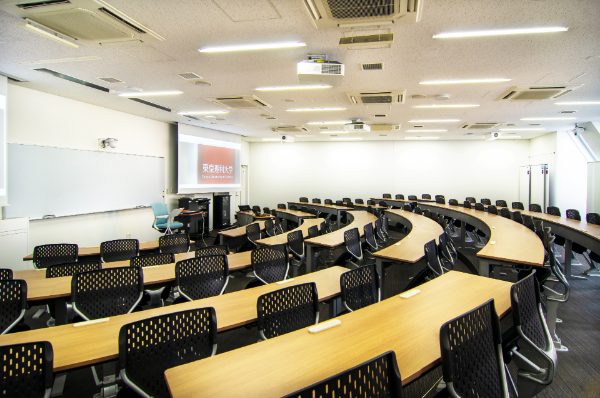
{"type": "Point", "coordinates": [91, 344]}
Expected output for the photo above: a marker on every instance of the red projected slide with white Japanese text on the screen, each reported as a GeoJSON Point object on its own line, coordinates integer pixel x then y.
{"type": "Point", "coordinates": [216, 165]}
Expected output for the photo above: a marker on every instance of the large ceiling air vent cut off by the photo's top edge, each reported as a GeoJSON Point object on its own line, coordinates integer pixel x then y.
{"type": "Point", "coordinates": [346, 13]}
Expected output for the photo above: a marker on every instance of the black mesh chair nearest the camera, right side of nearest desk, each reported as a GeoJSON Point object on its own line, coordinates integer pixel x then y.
{"type": "Point", "coordinates": [472, 361]}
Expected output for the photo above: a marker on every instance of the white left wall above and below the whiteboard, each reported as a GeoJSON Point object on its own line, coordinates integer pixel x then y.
{"type": "Point", "coordinates": [38, 118]}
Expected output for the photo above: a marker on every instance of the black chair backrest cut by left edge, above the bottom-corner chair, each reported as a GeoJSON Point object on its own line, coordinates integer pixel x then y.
{"type": "Point", "coordinates": [13, 303]}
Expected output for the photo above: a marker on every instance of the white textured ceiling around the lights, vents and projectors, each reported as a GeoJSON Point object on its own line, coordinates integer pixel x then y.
{"type": "Point", "coordinates": [570, 58]}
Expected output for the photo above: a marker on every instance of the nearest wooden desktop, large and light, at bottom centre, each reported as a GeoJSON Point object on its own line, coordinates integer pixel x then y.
{"type": "Point", "coordinates": [284, 364]}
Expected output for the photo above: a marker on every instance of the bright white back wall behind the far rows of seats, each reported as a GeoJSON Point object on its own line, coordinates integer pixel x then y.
{"type": "Point", "coordinates": [282, 172]}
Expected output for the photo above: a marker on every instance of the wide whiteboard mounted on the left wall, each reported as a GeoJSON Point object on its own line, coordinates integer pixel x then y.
{"type": "Point", "coordinates": [46, 181]}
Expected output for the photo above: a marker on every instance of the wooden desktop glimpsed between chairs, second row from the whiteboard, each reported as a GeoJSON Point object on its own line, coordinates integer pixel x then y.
{"type": "Point", "coordinates": [41, 288]}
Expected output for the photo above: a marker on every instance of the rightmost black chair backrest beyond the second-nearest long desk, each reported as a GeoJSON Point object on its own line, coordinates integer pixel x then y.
{"type": "Point", "coordinates": [270, 263]}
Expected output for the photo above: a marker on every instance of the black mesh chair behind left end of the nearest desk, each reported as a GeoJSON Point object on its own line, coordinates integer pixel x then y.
{"type": "Point", "coordinates": [150, 346]}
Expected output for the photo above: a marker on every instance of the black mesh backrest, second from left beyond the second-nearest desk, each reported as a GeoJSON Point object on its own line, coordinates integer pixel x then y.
{"type": "Point", "coordinates": [107, 292]}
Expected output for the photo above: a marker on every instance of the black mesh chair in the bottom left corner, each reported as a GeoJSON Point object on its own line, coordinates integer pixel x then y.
{"type": "Point", "coordinates": [26, 370]}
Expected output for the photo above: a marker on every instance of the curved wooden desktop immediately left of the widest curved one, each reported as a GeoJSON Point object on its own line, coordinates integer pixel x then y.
{"type": "Point", "coordinates": [411, 248]}
